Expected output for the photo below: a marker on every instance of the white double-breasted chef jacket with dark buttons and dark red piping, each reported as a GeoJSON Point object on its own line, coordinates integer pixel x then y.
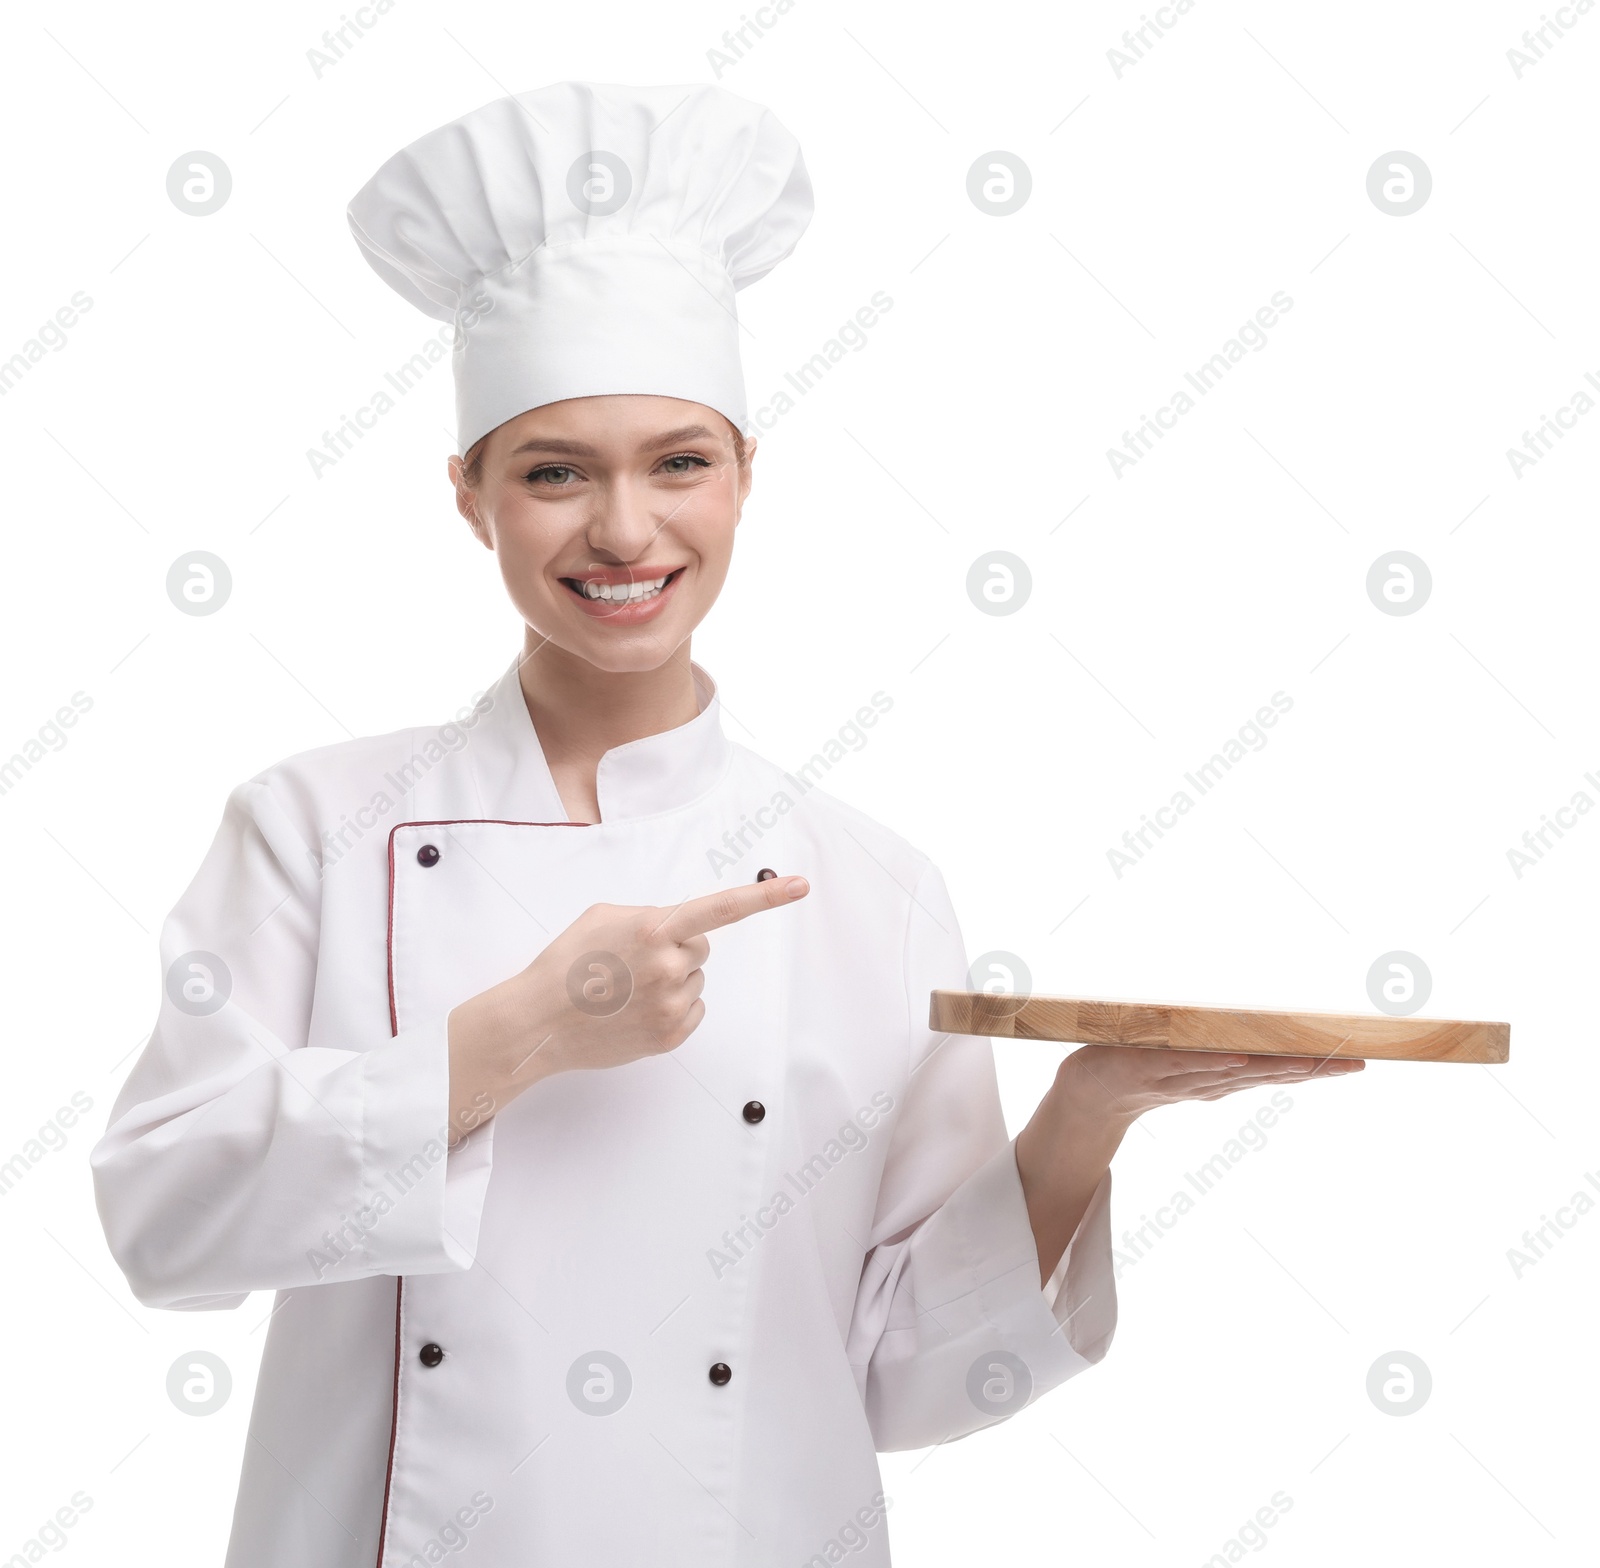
{"type": "Point", "coordinates": [631, 1319]}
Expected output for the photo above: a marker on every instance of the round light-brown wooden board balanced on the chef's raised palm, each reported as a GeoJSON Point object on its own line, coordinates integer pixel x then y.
{"type": "Point", "coordinates": [1167, 1026]}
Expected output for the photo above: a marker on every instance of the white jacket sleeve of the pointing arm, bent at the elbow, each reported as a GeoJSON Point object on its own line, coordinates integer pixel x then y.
{"type": "Point", "coordinates": [239, 1158]}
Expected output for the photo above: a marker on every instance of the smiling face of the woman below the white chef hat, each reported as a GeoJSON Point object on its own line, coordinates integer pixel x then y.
{"type": "Point", "coordinates": [612, 519]}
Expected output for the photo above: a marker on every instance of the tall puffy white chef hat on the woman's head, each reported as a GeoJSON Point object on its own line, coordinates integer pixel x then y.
{"type": "Point", "coordinates": [588, 239]}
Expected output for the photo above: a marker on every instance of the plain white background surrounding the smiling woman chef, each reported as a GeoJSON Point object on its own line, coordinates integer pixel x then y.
{"type": "Point", "coordinates": [1167, 606]}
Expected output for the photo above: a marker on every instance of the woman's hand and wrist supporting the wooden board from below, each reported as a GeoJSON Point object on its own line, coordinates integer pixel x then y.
{"type": "Point", "coordinates": [1100, 1092]}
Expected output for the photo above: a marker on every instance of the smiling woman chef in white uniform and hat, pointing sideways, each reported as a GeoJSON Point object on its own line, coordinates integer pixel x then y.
{"type": "Point", "coordinates": [618, 1199]}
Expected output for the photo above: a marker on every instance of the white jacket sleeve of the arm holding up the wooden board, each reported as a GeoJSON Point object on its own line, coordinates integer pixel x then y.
{"type": "Point", "coordinates": [951, 1329]}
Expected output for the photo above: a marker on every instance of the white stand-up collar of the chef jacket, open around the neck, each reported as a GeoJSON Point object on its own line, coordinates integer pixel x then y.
{"type": "Point", "coordinates": [642, 778]}
